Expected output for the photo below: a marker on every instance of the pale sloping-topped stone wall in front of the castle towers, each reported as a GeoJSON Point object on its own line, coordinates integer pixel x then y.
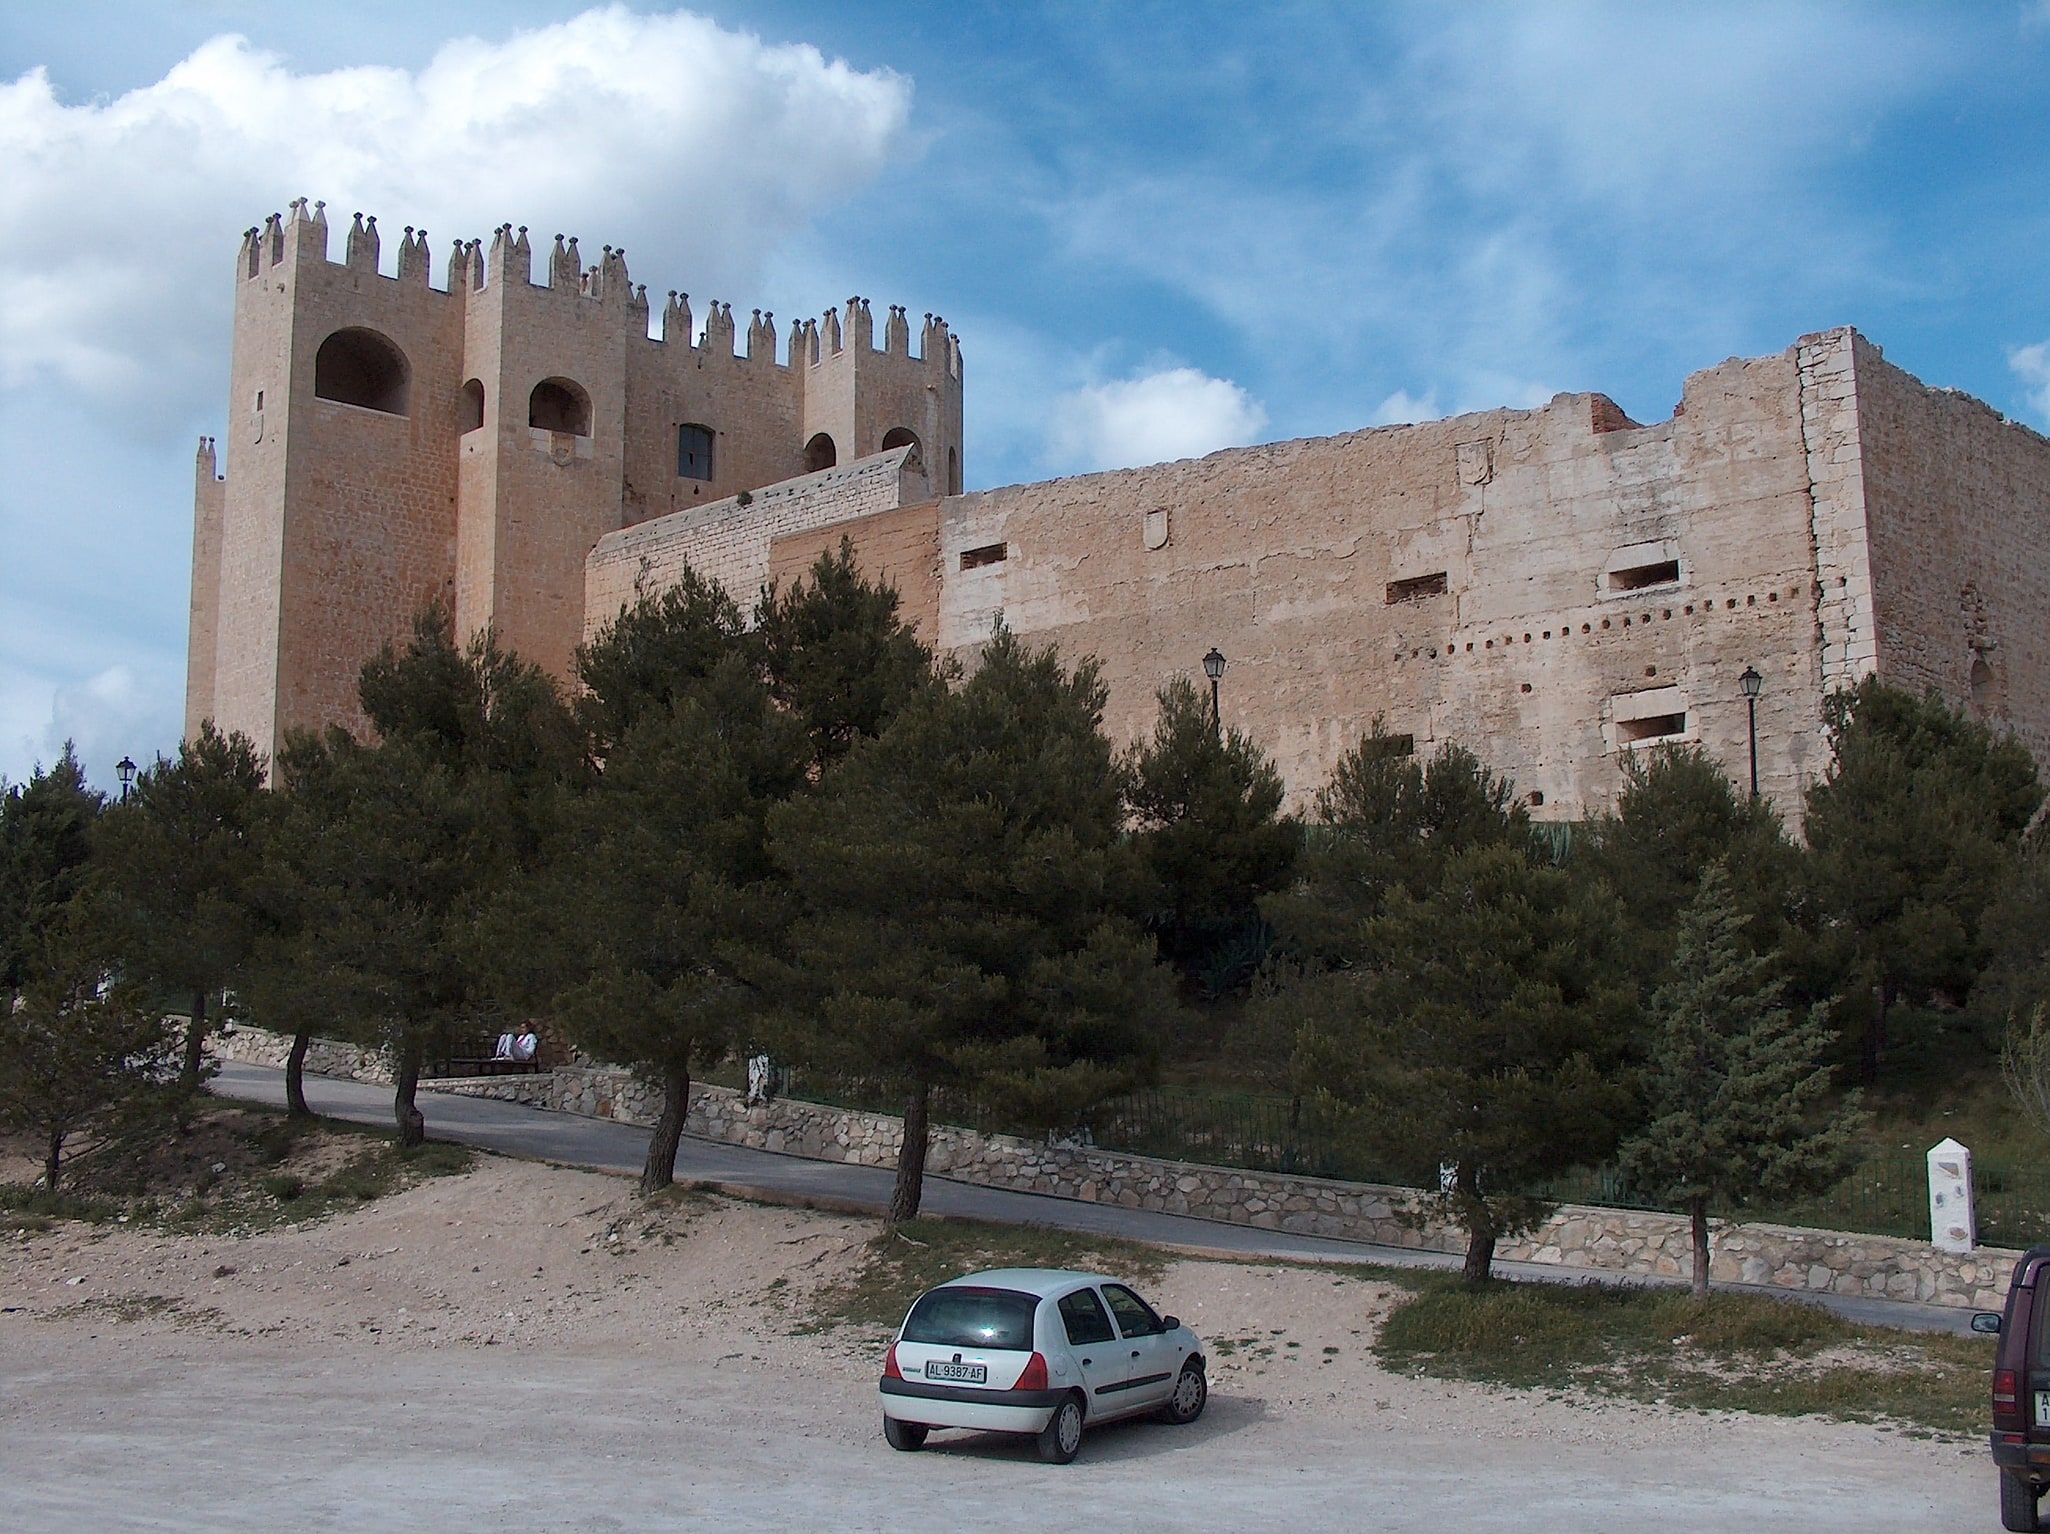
{"type": "Point", "coordinates": [729, 542]}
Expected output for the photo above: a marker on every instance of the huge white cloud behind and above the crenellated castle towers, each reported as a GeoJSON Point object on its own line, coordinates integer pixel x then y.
{"type": "Point", "coordinates": [692, 147]}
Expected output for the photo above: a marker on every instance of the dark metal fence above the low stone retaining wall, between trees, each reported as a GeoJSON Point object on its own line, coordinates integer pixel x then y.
{"type": "Point", "coordinates": [1885, 1195]}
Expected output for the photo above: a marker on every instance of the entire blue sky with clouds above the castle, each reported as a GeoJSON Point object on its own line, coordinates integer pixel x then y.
{"type": "Point", "coordinates": [1157, 229]}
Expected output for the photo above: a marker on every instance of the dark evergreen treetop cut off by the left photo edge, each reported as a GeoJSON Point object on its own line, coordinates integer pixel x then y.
{"type": "Point", "coordinates": [46, 848]}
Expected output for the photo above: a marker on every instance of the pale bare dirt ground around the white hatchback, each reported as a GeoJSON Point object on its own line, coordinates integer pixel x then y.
{"type": "Point", "coordinates": [538, 1348]}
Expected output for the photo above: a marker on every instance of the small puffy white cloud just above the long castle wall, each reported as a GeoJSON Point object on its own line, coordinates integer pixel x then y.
{"type": "Point", "coordinates": [1151, 419]}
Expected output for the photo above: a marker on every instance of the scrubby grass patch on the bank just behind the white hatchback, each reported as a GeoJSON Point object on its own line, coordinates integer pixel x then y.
{"type": "Point", "coordinates": [897, 1268]}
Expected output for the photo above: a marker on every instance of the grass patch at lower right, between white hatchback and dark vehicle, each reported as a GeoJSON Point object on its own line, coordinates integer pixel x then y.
{"type": "Point", "coordinates": [1733, 1353]}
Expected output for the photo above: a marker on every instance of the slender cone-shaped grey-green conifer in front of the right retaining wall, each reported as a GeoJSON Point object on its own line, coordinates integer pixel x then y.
{"type": "Point", "coordinates": [1737, 1084]}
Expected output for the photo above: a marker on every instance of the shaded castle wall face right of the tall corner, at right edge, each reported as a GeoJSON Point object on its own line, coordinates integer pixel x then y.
{"type": "Point", "coordinates": [1959, 503]}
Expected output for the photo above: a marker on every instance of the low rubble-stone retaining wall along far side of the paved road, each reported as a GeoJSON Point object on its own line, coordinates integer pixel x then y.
{"type": "Point", "coordinates": [1592, 1240]}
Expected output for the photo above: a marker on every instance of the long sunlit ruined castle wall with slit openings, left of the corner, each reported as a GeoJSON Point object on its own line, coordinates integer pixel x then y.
{"type": "Point", "coordinates": [1467, 579]}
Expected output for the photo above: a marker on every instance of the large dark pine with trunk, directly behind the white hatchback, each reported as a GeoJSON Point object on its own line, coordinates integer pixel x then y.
{"type": "Point", "coordinates": [969, 903]}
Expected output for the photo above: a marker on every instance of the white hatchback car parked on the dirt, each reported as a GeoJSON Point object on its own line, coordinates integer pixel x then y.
{"type": "Point", "coordinates": [1040, 1353]}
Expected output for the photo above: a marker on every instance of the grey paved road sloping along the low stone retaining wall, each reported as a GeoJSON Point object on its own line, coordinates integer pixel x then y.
{"type": "Point", "coordinates": [602, 1145]}
